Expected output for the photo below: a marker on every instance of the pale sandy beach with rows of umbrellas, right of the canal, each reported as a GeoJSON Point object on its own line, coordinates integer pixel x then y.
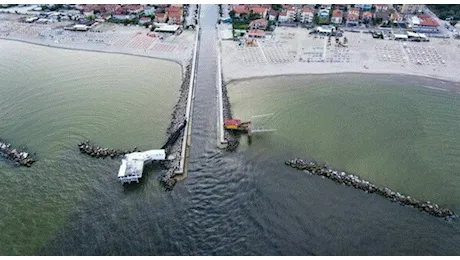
{"type": "Point", "coordinates": [292, 51]}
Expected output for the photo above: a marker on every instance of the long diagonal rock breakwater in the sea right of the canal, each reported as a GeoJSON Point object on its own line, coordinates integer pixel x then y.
{"type": "Point", "coordinates": [311, 167]}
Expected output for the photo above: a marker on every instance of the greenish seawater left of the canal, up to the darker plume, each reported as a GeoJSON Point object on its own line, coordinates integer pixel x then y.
{"type": "Point", "coordinates": [51, 99]}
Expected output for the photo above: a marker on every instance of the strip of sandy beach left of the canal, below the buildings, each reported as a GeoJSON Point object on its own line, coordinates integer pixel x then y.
{"type": "Point", "coordinates": [106, 37]}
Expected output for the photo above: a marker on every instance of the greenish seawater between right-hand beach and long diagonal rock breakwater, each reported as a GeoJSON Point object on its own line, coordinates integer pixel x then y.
{"type": "Point", "coordinates": [395, 131]}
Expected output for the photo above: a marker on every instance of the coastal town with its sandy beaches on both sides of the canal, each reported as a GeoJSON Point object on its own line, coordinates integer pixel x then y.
{"type": "Point", "coordinates": [258, 39]}
